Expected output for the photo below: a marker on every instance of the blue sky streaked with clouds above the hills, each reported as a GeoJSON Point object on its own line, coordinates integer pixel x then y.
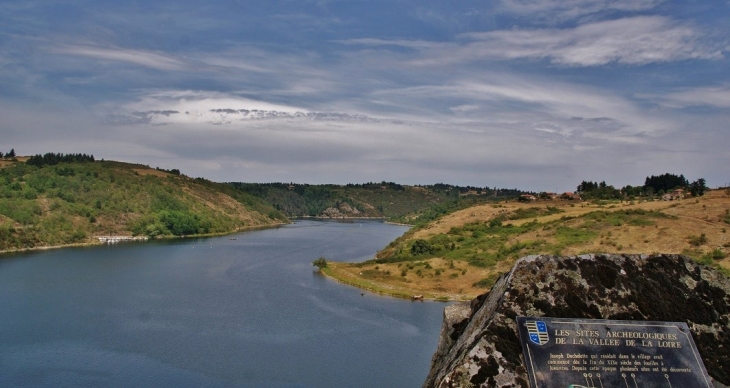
{"type": "Point", "coordinates": [537, 95]}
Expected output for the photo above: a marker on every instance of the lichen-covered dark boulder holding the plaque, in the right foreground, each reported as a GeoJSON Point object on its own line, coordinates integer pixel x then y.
{"type": "Point", "coordinates": [479, 344]}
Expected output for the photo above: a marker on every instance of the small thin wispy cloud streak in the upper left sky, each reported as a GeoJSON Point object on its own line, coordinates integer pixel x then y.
{"type": "Point", "coordinates": [139, 57]}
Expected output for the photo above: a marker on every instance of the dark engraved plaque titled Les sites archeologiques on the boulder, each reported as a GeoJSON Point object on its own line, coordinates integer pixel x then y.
{"type": "Point", "coordinates": [592, 353]}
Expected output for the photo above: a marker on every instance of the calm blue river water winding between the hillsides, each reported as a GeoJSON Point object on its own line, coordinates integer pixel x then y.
{"type": "Point", "coordinates": [211, 312]}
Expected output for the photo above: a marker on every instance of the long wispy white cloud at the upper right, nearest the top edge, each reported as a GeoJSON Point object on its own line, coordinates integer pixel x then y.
{"type": "Point", "coordinates": [630, 41]}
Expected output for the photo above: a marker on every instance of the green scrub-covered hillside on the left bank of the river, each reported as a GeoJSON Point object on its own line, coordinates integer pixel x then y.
{"type": "Point", "coordinates": [72, 203]}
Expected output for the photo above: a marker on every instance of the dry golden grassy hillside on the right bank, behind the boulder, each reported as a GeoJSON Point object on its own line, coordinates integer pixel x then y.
{"type": "Point", "coordinates": [459, 255]}
